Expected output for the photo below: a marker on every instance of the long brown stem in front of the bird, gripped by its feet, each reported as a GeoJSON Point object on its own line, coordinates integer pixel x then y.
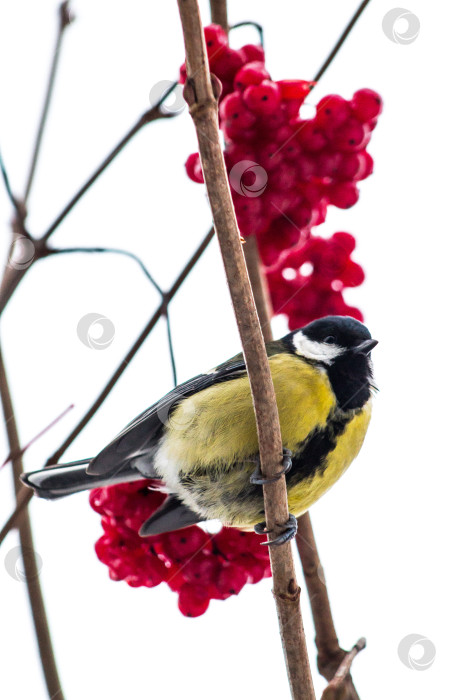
{"type": "Point", "coordinates": [202, 101]}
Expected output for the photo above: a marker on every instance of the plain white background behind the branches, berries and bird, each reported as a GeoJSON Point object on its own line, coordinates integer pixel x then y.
{"type": "Point", "coordinates": [390, 532]}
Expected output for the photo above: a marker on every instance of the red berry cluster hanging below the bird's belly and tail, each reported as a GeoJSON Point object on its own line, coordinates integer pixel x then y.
{"type": "Point", "coordinates": [198, 566]}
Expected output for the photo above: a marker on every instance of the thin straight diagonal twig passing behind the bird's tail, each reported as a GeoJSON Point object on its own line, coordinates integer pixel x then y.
{"type": "Point", "coordinates": [25, 494]}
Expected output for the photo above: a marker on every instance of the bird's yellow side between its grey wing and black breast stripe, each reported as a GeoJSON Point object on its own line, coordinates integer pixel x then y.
{"type": "Point", "coordinates": [217, 425]}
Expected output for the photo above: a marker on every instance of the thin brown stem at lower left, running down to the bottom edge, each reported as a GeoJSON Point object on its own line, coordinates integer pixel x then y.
{"type": "Point", "coordinates": [27, 549]}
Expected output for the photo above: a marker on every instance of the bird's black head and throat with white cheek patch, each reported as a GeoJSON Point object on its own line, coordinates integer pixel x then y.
{"type": "Point", "coordinates": [342, 346]}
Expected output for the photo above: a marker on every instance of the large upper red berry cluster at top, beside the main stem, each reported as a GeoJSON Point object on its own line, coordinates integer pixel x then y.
{"type": "Point", "coordinates": [284, 171]}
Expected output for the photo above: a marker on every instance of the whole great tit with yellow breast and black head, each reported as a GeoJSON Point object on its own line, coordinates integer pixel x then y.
{"type": "Point", "coordinates": [201, 441]}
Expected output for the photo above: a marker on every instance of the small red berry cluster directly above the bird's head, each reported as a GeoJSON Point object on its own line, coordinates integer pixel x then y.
{"type": "Point", "coordinates": [309, 281]}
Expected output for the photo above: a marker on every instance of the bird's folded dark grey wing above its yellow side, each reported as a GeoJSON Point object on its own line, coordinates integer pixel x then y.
{"type": "Point", "coordinates": [138, 441]}
